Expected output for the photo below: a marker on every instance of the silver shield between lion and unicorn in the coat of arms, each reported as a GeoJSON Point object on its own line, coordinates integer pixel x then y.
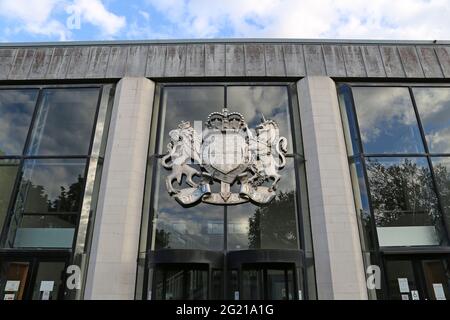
{"type": "Point", "coordinates": [225, 154]}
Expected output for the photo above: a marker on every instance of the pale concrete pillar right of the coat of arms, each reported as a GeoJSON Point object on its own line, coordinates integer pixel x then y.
{"type": "Point", "coordinates": [336, 243]}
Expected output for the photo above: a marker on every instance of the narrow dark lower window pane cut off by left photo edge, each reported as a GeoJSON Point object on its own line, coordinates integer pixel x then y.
{"type": "Point", "coordinates": [8, 172]}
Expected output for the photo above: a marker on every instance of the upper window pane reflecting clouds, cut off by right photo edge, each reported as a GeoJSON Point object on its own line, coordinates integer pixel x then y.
{"type": "Point", "coordinates": [433, 105]}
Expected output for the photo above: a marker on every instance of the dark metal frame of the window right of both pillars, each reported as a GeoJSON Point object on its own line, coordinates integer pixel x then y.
{"type": "Point", "coordinates": [383, 252]}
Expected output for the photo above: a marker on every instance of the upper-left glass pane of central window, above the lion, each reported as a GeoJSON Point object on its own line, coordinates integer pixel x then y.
{"type": "Point", "coordinates": [193, 103]}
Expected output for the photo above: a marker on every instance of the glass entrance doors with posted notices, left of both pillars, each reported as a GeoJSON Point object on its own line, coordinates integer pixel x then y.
{"type": "Point", "coordinates": [31, 279]}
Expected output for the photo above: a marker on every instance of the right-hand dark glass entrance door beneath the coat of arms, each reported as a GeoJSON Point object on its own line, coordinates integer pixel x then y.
{"type": "Point", "coordinates": [261, 282]}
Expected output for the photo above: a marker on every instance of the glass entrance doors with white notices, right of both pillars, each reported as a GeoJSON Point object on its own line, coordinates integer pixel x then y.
{"type": "Point", "coordinates": [418, 278]}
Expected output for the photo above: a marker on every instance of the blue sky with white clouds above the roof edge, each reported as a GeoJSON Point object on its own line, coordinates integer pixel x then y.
{"type": "Point", "coordinates": [53, 20]}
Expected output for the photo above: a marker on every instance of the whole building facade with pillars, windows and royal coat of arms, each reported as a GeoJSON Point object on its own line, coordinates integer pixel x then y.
{"type": "Point", "coordinates": [92, 139]}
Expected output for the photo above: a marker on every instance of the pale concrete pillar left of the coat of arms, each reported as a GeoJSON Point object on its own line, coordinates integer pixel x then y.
{"type": "Point", "coordinates": [112, 264]}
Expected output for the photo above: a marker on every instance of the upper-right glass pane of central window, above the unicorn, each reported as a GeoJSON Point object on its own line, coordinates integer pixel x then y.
{"type": "Point", "coordinates": [256, 102]}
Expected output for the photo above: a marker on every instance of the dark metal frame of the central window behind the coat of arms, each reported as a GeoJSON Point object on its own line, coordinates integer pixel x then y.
{"type": "Point", "coordinates": [153, 157]}
